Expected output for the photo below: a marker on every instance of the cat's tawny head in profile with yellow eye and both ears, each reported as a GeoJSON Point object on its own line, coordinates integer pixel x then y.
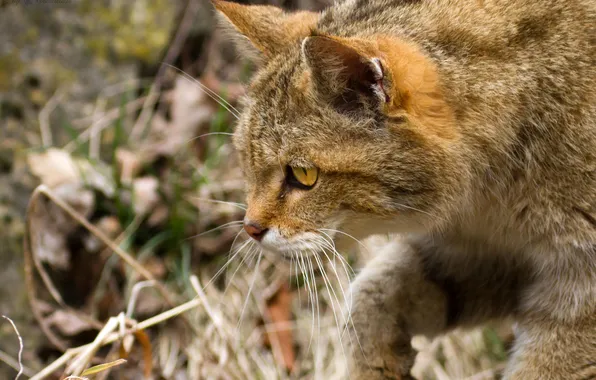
{"type": "Point", "coordinates": [339, 133]}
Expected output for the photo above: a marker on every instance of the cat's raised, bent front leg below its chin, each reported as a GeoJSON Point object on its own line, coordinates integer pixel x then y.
{"type": "Point", "coordinates": [391, 301]}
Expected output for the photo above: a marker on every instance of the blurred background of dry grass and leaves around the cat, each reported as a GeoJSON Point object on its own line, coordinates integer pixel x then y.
{"type": "Point", "coordinates": [123, 111]}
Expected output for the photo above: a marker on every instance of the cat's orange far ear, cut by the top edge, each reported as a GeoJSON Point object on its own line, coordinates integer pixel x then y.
{"type": "Point", "coordinates": [263, 30]}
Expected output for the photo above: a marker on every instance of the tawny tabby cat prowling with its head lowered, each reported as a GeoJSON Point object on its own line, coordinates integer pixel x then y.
{"type": "Point", "coordinates": [468, 129]}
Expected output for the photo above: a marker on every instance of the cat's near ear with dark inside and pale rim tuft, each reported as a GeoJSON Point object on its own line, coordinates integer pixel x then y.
{"type": "Point", "coordinates": [344, 72]}
